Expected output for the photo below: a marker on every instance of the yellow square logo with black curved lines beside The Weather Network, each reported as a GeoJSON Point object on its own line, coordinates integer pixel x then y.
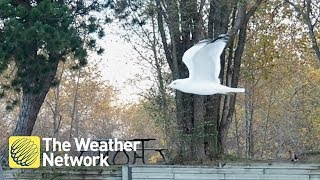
{"type": "Point", "coordinates": [24, 152]}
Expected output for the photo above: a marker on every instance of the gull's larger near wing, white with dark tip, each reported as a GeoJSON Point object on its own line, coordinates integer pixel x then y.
{"type": "Point", "coordinates": [206, 62]}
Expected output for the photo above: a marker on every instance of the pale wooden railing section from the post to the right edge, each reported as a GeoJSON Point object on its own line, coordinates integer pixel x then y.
{"type": "Point", "coordinates": [277, 171]}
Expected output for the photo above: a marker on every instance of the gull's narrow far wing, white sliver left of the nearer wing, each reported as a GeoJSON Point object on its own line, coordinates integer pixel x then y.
{"type": "Point", "coordinates": [188, 55]}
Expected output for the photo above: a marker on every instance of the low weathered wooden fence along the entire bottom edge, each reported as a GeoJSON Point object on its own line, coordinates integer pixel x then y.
{"type": "Point", "coordinates": [278, 171]}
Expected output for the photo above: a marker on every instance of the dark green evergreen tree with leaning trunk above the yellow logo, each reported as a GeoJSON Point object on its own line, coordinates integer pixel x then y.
{"type": "Point", "coordinates": [36, 36]}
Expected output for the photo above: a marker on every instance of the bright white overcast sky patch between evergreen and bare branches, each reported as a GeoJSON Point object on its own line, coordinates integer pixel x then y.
{"type": "Point", "coordinates": [119, 65]}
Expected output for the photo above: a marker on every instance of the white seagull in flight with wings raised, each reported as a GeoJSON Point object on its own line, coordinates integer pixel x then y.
{"type": "Point", "coordinates": [203, 63]}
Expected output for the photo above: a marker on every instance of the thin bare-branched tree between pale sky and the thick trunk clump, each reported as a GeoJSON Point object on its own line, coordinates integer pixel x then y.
{"type": "Point", "coordinates": [148, 46]}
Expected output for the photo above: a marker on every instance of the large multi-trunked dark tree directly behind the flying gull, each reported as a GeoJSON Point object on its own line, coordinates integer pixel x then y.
{"type": "Point", "coordinates": [204, 120]}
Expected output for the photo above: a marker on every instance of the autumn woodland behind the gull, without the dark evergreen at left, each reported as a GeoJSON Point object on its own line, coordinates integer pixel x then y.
{"type": "Point", "coordinates": [273, 54]}
